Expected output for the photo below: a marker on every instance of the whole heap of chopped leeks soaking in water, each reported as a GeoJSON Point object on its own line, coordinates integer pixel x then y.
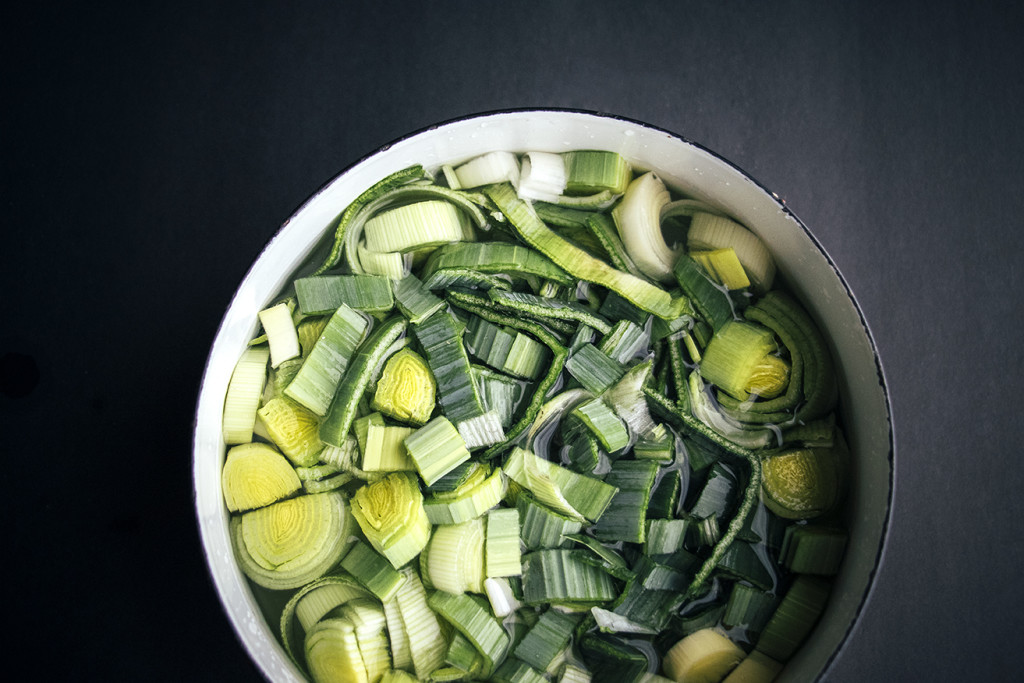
{"type": "Point", "coordinates": [538, 418]}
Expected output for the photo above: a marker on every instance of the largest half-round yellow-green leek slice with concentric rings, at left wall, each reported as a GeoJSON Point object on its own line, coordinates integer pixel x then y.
{"type": "Point", "coordinates": [291, 543]}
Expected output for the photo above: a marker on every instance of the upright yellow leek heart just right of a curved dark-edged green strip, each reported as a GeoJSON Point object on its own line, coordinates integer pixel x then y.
{"type": "Point", "coordinates": [406, 391]}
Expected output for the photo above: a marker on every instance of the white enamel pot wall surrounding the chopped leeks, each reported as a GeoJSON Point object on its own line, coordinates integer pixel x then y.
{"type": "Point", "coordinates": [688, 167]}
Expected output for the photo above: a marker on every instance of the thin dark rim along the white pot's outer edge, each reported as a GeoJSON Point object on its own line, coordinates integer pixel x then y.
{"type": "Point", "coordinates": [886, 519]}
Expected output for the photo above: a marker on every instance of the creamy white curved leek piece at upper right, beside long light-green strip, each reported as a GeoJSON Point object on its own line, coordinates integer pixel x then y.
{"type": "Point", "coordinates": [638, 218]}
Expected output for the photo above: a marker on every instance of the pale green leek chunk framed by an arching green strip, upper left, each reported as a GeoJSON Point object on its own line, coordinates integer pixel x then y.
{"type": "Point", "coordinates": [411, 227]}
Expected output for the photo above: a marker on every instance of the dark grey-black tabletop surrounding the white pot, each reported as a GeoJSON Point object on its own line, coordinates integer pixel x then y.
{"type": "Point", "coordinates": [150, 152]}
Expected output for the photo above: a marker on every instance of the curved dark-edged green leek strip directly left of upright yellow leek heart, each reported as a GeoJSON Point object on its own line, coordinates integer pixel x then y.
{"type": "Point", "coordinates": [370, 356]}
